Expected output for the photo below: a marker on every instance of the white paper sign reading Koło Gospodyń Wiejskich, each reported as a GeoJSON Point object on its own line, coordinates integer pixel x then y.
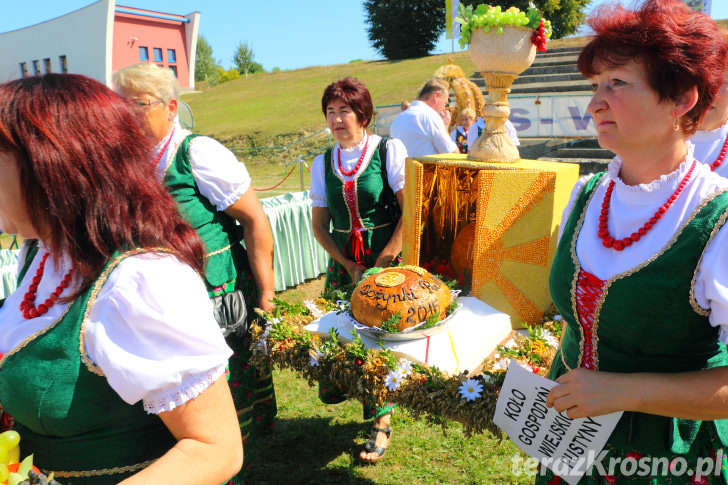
{"type": "Point", "coordinates": [567, 446]}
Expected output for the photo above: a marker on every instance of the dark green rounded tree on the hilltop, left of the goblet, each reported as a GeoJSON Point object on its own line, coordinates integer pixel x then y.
{"type": "Point", "coordinates": [401, 29]}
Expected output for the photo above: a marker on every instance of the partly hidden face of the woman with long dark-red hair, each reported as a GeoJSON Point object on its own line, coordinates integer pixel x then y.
{"type": "Point", "coordinates": [13, 215]}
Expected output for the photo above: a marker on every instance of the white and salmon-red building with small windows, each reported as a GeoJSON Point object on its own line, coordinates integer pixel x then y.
{"type": "Point", "coordinates": [100, 38]}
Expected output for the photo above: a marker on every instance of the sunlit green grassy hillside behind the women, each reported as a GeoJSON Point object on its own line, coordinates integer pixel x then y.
{"type": "Point", "coordinates": [265, 106]}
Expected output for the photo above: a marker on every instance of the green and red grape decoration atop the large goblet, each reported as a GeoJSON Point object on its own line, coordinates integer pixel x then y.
{"type": "Point", "coordinates": [489, 17]}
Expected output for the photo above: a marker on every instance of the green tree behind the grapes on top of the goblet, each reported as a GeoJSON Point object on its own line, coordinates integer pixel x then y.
{"type": "Point", "coordinates": [565, 15]}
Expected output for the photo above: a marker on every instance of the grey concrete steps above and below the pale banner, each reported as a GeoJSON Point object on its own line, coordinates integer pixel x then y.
{"type": "Point", "coordinates": [555, 72]}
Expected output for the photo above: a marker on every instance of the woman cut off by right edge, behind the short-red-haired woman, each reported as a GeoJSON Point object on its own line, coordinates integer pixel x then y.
{"type": "Point", "coordinates": [711, 139]}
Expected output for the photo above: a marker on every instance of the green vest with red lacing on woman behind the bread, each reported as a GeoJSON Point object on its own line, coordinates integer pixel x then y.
{"type": "Point", "coordinates": [368, 205]}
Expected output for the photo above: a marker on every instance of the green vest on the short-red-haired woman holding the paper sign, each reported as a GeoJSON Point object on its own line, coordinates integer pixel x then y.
{"type": "Point", "coordinates": [646, 321]}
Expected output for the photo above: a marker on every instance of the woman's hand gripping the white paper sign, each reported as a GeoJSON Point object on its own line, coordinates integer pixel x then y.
{"type": "Point", "coordinates": [584, 393]}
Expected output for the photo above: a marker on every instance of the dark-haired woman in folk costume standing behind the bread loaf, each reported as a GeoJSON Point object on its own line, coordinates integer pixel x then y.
{"type": "Point", "coordinates": [353, 185]}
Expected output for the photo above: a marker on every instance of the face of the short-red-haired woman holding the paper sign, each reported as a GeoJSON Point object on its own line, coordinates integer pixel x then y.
{"type": "Point", "coordinates": [627, 112]}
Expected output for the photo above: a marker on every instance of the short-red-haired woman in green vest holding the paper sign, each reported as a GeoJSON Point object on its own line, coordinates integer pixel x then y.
{"type": "Point", "coordinates": [640, 275]}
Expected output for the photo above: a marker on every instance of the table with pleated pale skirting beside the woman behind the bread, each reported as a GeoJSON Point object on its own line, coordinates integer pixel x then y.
{"type": "Point", "coordinates": [297, 255]}
